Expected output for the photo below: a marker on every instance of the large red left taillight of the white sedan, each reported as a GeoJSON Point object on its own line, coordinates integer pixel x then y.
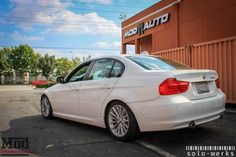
{"type": "Point", "coordinates": [172, 86]}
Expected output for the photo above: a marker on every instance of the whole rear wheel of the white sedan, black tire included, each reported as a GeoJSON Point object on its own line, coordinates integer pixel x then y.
{"type": "Point", "coordinates": [120, 122]}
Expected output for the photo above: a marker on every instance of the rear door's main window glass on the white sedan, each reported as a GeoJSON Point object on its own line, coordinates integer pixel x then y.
{"type": "Point", "coordinates": [101, 69]}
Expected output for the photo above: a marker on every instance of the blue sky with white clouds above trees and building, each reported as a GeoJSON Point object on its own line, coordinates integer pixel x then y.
{"type": "Point", "coordinates": [67, 28]}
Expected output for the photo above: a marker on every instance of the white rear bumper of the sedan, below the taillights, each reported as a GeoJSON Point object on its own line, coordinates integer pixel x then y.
{"type": "Point", "coordinates": [175, 112]}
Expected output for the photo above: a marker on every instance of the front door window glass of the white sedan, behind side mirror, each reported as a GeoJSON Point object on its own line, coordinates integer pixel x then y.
{"type": "Point", "coordinates": [79, 75]}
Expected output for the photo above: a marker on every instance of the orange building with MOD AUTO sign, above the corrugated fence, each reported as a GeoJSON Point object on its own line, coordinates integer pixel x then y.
{"type": "Point", "coordinates": [175, 23]}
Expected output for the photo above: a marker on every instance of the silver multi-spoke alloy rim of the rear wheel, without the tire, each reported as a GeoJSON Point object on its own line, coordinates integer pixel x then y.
{"type": "Point", "coordinates": [118, 119]}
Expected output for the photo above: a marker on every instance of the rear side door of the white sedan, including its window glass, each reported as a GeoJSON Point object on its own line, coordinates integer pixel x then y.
{"type": "Point", "coordinates": [100, 82]}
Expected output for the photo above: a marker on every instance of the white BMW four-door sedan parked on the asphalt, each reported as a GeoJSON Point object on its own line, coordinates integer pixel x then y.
{"type": "Point", "coordinates": [129, 94]}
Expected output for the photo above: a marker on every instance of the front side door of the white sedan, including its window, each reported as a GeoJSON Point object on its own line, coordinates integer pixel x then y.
{"type": "Point", "coordinates": [66, 97]}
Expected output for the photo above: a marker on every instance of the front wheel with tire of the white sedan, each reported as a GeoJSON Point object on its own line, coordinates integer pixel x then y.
{"type": "Point", "coordinates": [46, 108]}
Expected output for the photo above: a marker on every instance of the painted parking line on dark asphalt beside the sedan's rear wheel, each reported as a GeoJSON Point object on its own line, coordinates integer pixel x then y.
{"type": "Point", "coordinates": [155, 149]}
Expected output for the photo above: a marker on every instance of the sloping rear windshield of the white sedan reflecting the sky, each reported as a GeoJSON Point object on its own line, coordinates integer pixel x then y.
{"type": "Point", "coordinates": [156, 63]}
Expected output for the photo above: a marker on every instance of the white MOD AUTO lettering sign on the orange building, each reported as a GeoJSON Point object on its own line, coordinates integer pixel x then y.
{"type": "Point", "coordinates": [147, 25]}
